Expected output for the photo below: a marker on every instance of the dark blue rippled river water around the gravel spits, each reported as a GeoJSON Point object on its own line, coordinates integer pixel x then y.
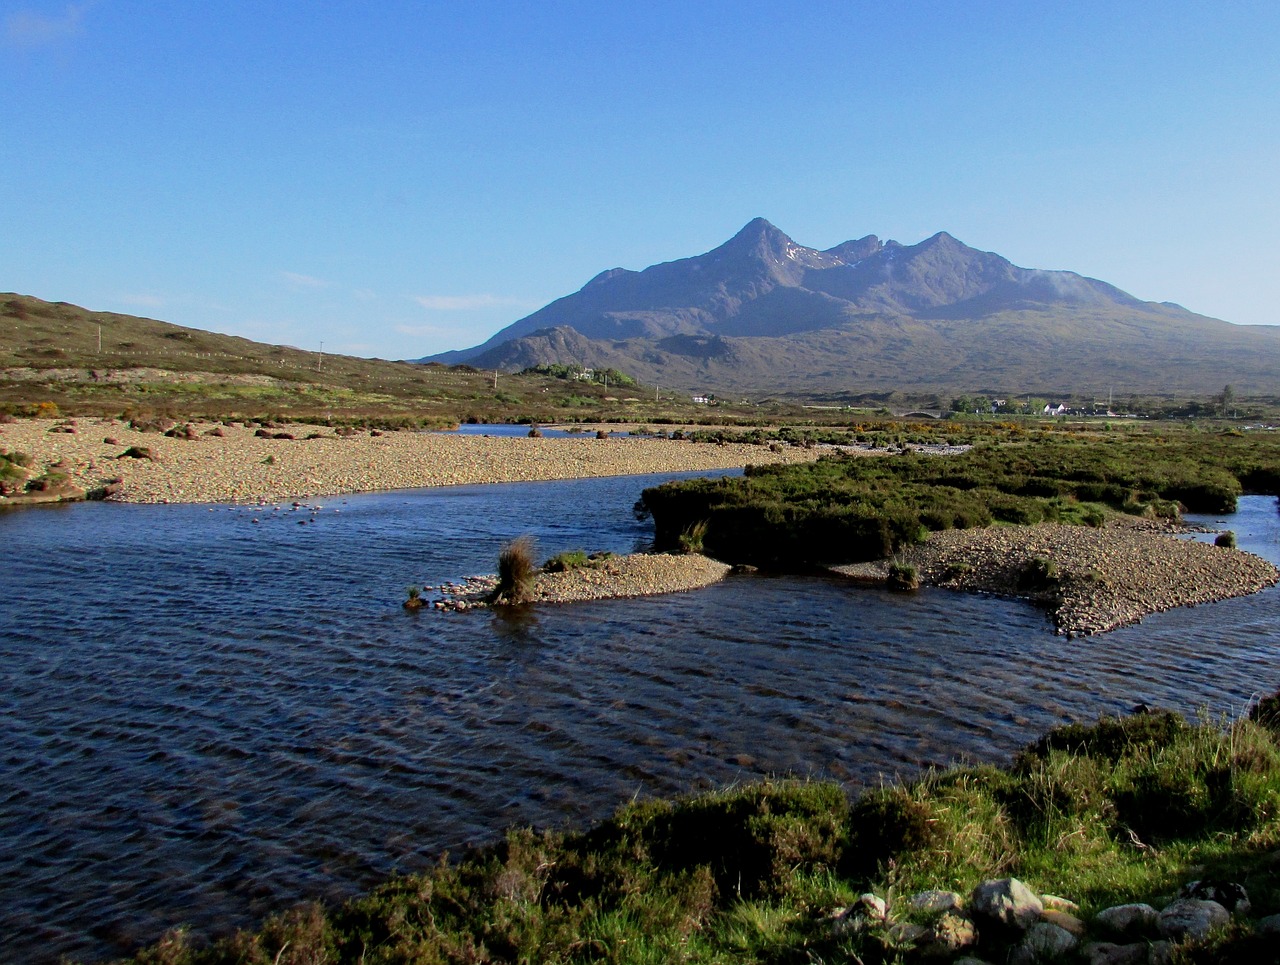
{"type": "Point", "coordinates": [209, 714]}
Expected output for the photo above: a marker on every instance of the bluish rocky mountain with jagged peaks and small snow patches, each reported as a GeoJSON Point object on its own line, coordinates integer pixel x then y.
{"type": "Point", "coordinates": [762, 314]}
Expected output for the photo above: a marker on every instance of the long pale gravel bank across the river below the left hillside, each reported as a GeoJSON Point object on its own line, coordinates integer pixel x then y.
{"type": "Point", "coordinates": [240, 467]}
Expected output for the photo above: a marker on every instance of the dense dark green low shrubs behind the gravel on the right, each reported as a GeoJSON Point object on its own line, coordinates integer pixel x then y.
{"type": "Point", "coordinates": [849, 509]}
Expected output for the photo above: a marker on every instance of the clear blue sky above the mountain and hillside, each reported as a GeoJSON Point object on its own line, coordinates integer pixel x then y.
{"type": "Point", "coordinates": [399, 179]}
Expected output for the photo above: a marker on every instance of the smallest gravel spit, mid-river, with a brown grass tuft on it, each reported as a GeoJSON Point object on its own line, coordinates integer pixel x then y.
{"type": "Point", "coordinates": [616, 578]}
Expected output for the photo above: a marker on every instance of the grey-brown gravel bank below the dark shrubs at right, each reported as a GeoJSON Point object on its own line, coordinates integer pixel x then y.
{"type": "Point", "coordinates": [1107, 578]}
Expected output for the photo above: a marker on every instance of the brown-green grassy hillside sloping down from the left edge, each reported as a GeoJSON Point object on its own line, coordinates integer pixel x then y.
{"type": "Point", "coordinates": [84, 363]}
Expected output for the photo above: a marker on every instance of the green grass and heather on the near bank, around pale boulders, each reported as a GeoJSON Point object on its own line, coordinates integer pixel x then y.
{"type": "Point", "coordinates": [1123, 811]}
